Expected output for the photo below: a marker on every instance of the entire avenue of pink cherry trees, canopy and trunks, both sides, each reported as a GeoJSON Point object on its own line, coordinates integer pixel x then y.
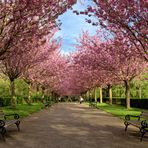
{"type": "Point", "coordinates": [116, 54]}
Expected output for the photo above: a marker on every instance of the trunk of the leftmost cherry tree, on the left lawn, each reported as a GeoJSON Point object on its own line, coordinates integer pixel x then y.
{"type": "Point", "coordinates": [12, 93]}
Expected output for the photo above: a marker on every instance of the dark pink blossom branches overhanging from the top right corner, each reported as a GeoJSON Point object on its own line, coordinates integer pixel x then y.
{"type": "Point", "coordinates": [128, 17]}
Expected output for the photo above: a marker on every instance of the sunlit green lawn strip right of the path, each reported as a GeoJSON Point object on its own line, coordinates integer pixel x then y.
{"type": "Point", "coordinates": [118, 110]}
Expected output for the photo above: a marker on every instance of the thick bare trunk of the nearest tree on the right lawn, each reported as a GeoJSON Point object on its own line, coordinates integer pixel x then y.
{"type": "Point", "coordinates": [127, 93]}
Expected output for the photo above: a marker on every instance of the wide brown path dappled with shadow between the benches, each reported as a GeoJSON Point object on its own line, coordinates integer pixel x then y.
{"type": "Point", "coordinates": [71, 125]}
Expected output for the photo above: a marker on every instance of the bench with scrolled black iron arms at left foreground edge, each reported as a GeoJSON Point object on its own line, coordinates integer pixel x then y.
{"type": "Point", "coordinates": [6, 121]}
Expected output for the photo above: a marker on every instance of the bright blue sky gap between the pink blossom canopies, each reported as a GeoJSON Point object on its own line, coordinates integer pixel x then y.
{"type": "Point", "coordinates": [73, 25]}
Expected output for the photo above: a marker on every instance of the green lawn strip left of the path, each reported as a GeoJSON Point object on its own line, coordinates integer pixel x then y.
{"type": "Point", "coordinates": [23, 110]}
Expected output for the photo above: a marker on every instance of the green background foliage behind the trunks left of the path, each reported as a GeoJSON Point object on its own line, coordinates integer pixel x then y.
{"type": "Point", "coordinates": [21, 91]}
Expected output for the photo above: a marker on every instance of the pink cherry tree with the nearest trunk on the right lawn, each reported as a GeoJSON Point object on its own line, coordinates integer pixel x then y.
{"type": "Point", "coordinates": [125, 65]}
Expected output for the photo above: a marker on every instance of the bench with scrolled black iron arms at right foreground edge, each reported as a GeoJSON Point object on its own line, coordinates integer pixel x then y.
{"type": "Point", "coordinates": [140, 122]}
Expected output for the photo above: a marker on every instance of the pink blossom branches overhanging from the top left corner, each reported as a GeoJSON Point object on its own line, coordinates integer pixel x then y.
{"type": "Point", "coordinates": [19, 18]}
